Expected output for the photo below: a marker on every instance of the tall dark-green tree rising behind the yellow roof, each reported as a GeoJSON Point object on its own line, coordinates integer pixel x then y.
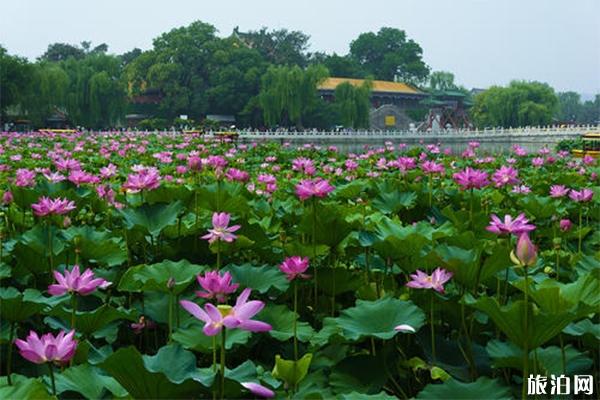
{"type": "Point", "coordinates": [388, 54]}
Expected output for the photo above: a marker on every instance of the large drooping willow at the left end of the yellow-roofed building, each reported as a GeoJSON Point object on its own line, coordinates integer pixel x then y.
{"type": "Point", "coordinates": [288, 94]}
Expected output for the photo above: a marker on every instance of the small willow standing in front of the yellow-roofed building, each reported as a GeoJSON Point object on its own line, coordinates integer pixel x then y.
{"type": "Point", "coordinates": [353, 104]}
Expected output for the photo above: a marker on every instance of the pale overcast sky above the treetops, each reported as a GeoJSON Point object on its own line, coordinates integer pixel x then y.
{"type": "Point", "coordinates": [483, 42]}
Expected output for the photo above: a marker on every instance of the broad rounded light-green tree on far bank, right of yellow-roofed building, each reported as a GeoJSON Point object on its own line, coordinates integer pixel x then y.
{"type": "Point", "coordinates": [520, 104]}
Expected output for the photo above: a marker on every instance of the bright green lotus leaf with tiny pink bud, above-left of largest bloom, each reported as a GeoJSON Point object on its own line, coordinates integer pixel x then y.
{"type": "Point", "coordinates": [154, 277]}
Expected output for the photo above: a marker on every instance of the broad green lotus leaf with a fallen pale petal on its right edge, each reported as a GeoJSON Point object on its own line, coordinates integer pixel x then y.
{"type": "Point", "coordinates": [379, 318]}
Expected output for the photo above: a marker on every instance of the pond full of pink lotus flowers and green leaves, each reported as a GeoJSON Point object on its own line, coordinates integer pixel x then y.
{"type": "Point", "coordinates": [161, 265]}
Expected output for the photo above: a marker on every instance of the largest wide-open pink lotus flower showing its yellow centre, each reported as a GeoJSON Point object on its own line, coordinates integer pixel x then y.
{"type": "Point", "coordinates": [238, 316]}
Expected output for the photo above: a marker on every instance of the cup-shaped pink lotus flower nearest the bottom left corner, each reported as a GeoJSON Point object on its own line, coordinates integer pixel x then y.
{"type": "Point", "coordinates": [59, 349]}
